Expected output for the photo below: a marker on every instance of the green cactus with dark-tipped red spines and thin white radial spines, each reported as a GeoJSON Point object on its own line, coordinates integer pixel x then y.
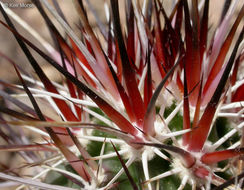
{"type": "Point", "coordinates": [155, 104]}
